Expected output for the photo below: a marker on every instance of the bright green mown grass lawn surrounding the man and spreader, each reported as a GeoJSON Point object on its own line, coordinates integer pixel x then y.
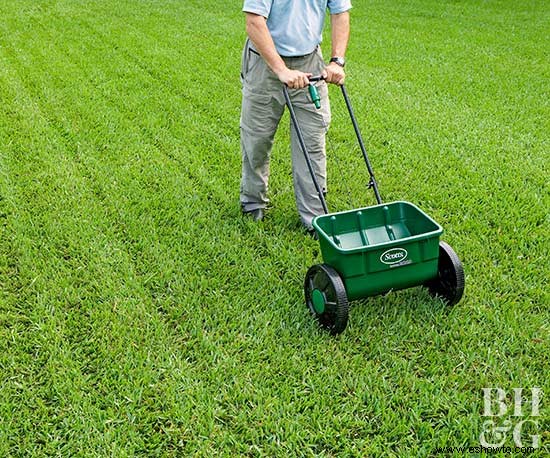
{"type": "Point", "coordinates": [140, 315]}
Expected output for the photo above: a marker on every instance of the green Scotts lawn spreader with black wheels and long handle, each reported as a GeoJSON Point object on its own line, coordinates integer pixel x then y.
{"type": "Point", "coordinates": [373, 250]}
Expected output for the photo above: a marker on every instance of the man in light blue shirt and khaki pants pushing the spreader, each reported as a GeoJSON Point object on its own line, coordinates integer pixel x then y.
{"type": "Point", "coordinates": [283, 48]}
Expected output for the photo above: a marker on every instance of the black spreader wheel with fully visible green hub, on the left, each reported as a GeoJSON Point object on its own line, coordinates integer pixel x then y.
{"type": "Point", "coordinates": [326, 298]}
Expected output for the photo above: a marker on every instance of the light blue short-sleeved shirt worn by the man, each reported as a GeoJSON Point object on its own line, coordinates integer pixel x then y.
{"type": "Point", "coordinates": [296, 25]}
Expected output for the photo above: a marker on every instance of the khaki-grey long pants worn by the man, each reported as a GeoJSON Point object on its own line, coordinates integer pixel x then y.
{"type": "Point", "coordinates": [263, 105]}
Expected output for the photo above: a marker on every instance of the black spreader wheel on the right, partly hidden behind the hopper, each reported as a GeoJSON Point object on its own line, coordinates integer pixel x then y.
{"type": "Point", "coordinates": [449, 283]}
